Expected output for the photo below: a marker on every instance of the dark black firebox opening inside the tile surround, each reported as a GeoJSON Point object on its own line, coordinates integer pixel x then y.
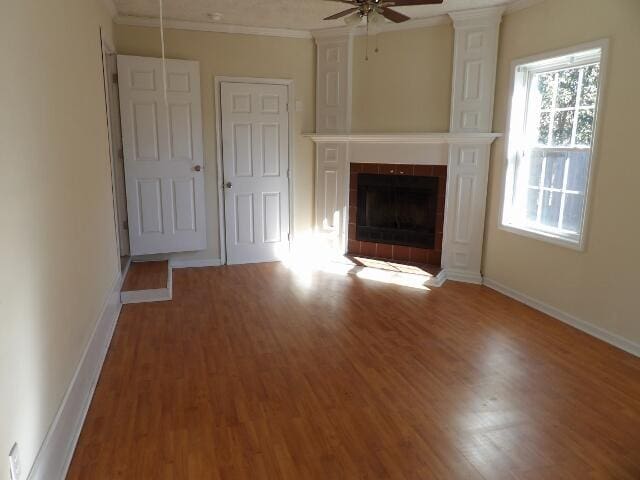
{"type": "Point", "coordinates": [397, 210]}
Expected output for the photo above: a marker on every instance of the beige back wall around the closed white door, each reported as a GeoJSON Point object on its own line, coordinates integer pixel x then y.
{"type": "Point", "coordinates": [245, 56]}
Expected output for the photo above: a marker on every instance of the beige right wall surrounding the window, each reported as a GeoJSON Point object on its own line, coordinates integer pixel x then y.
{"type": "Point", "coordinates": [598, 285]}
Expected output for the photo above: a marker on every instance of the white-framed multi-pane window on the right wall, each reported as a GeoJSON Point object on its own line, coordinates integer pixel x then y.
{"type": "Point", "coordinates": [550, 144]}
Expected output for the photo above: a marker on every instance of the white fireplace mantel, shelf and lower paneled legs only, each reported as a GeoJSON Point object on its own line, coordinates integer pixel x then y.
{"type": "Point", "coordinates": [466, 156]}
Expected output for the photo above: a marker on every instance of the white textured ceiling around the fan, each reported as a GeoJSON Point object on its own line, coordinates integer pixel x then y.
{"type": "Point", "coordinates": [290, 14]}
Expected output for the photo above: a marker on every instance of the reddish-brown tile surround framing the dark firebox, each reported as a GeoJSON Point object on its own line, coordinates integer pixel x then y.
{"type": "Point", "coordinates": [397, 252]}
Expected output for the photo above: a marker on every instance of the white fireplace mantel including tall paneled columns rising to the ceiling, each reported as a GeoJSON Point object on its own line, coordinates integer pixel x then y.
{"type": "Point", "coordinates": [465, 150]}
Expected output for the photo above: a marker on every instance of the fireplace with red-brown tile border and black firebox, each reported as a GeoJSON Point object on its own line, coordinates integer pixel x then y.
{"type": "Point", "coordinates": [396, 212]}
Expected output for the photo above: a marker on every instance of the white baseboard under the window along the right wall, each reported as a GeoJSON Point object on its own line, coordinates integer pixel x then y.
{"type": "Point", "coordinates": [586, 327]}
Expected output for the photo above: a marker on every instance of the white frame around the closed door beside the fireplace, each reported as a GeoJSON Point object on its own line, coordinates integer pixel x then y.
{"type": "Point", "coordinates": [218, 80]}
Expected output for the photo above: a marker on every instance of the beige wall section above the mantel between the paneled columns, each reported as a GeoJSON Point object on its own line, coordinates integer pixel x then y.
{"type": "Point", "coordinates": [406, 86]}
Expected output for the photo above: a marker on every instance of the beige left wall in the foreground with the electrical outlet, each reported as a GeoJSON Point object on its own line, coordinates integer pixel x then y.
{"type": "Point", "coordinates": [59, 257]}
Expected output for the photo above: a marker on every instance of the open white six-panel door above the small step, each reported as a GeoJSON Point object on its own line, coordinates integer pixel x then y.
{"type": "Point", "coordinates": [163, 158]}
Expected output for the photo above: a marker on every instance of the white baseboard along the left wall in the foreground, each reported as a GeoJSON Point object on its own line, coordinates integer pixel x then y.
{"type": "Point", "coordinates": [56, 452]}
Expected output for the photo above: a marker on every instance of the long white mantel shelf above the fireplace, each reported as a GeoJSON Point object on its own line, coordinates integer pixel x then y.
{"type": "Point", "coordinates": [407, 138]}
